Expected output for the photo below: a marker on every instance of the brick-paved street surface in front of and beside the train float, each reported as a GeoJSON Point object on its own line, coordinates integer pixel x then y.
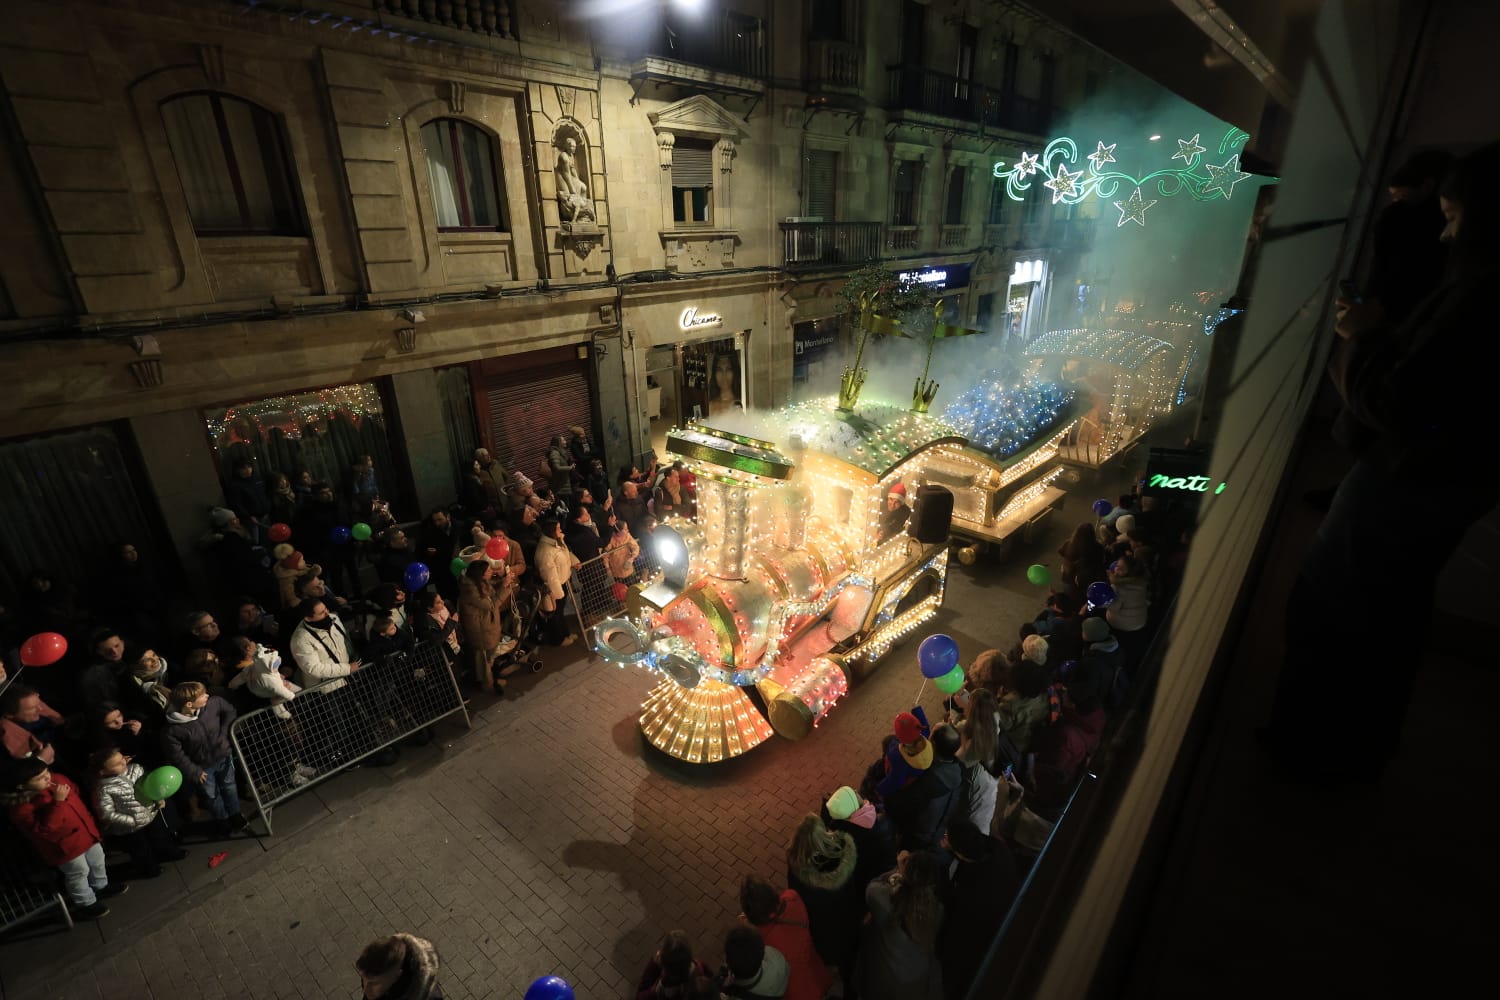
{"type": "Point", "coordinates": [547, 840]}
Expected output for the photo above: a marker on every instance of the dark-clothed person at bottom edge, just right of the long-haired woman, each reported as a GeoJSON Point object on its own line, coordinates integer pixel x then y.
{"type": "Point", "coordinates": [982, 887]}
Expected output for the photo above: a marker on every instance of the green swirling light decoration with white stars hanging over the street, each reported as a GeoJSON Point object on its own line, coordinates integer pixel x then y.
{"type": "Point", "coordinates": [1198, 181]}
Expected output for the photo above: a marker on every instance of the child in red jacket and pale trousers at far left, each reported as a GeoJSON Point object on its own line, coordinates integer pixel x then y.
{"type": "Point", "coordinates": [49, 810]}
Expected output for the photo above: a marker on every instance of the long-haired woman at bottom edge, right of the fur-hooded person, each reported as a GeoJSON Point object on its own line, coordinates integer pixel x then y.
{"type": "Point", "coordinates": [899, 947]}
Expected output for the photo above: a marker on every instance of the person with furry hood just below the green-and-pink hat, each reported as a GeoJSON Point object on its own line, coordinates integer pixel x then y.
{"type": "Point", "coordinates": [820, 869]}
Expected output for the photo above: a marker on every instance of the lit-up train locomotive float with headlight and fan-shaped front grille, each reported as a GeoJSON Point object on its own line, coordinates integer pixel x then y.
{"type": "Point", "coordinates": [793, 581]}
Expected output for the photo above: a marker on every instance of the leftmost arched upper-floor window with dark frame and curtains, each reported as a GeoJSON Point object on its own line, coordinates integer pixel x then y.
{"type": "Point", "coordinates": [235, 169]}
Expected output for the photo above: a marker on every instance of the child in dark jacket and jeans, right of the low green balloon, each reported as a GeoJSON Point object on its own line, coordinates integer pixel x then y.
{"type": "Point", "coordinates": [197, 743]}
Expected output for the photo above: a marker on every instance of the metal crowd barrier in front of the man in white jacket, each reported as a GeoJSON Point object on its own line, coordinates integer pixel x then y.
{"type": "Point", "coordinates": [329, 728]}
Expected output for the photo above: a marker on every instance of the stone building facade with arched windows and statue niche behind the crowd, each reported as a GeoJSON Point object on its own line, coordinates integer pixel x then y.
{"type": "Point", "coordinates": [487, 221]}
